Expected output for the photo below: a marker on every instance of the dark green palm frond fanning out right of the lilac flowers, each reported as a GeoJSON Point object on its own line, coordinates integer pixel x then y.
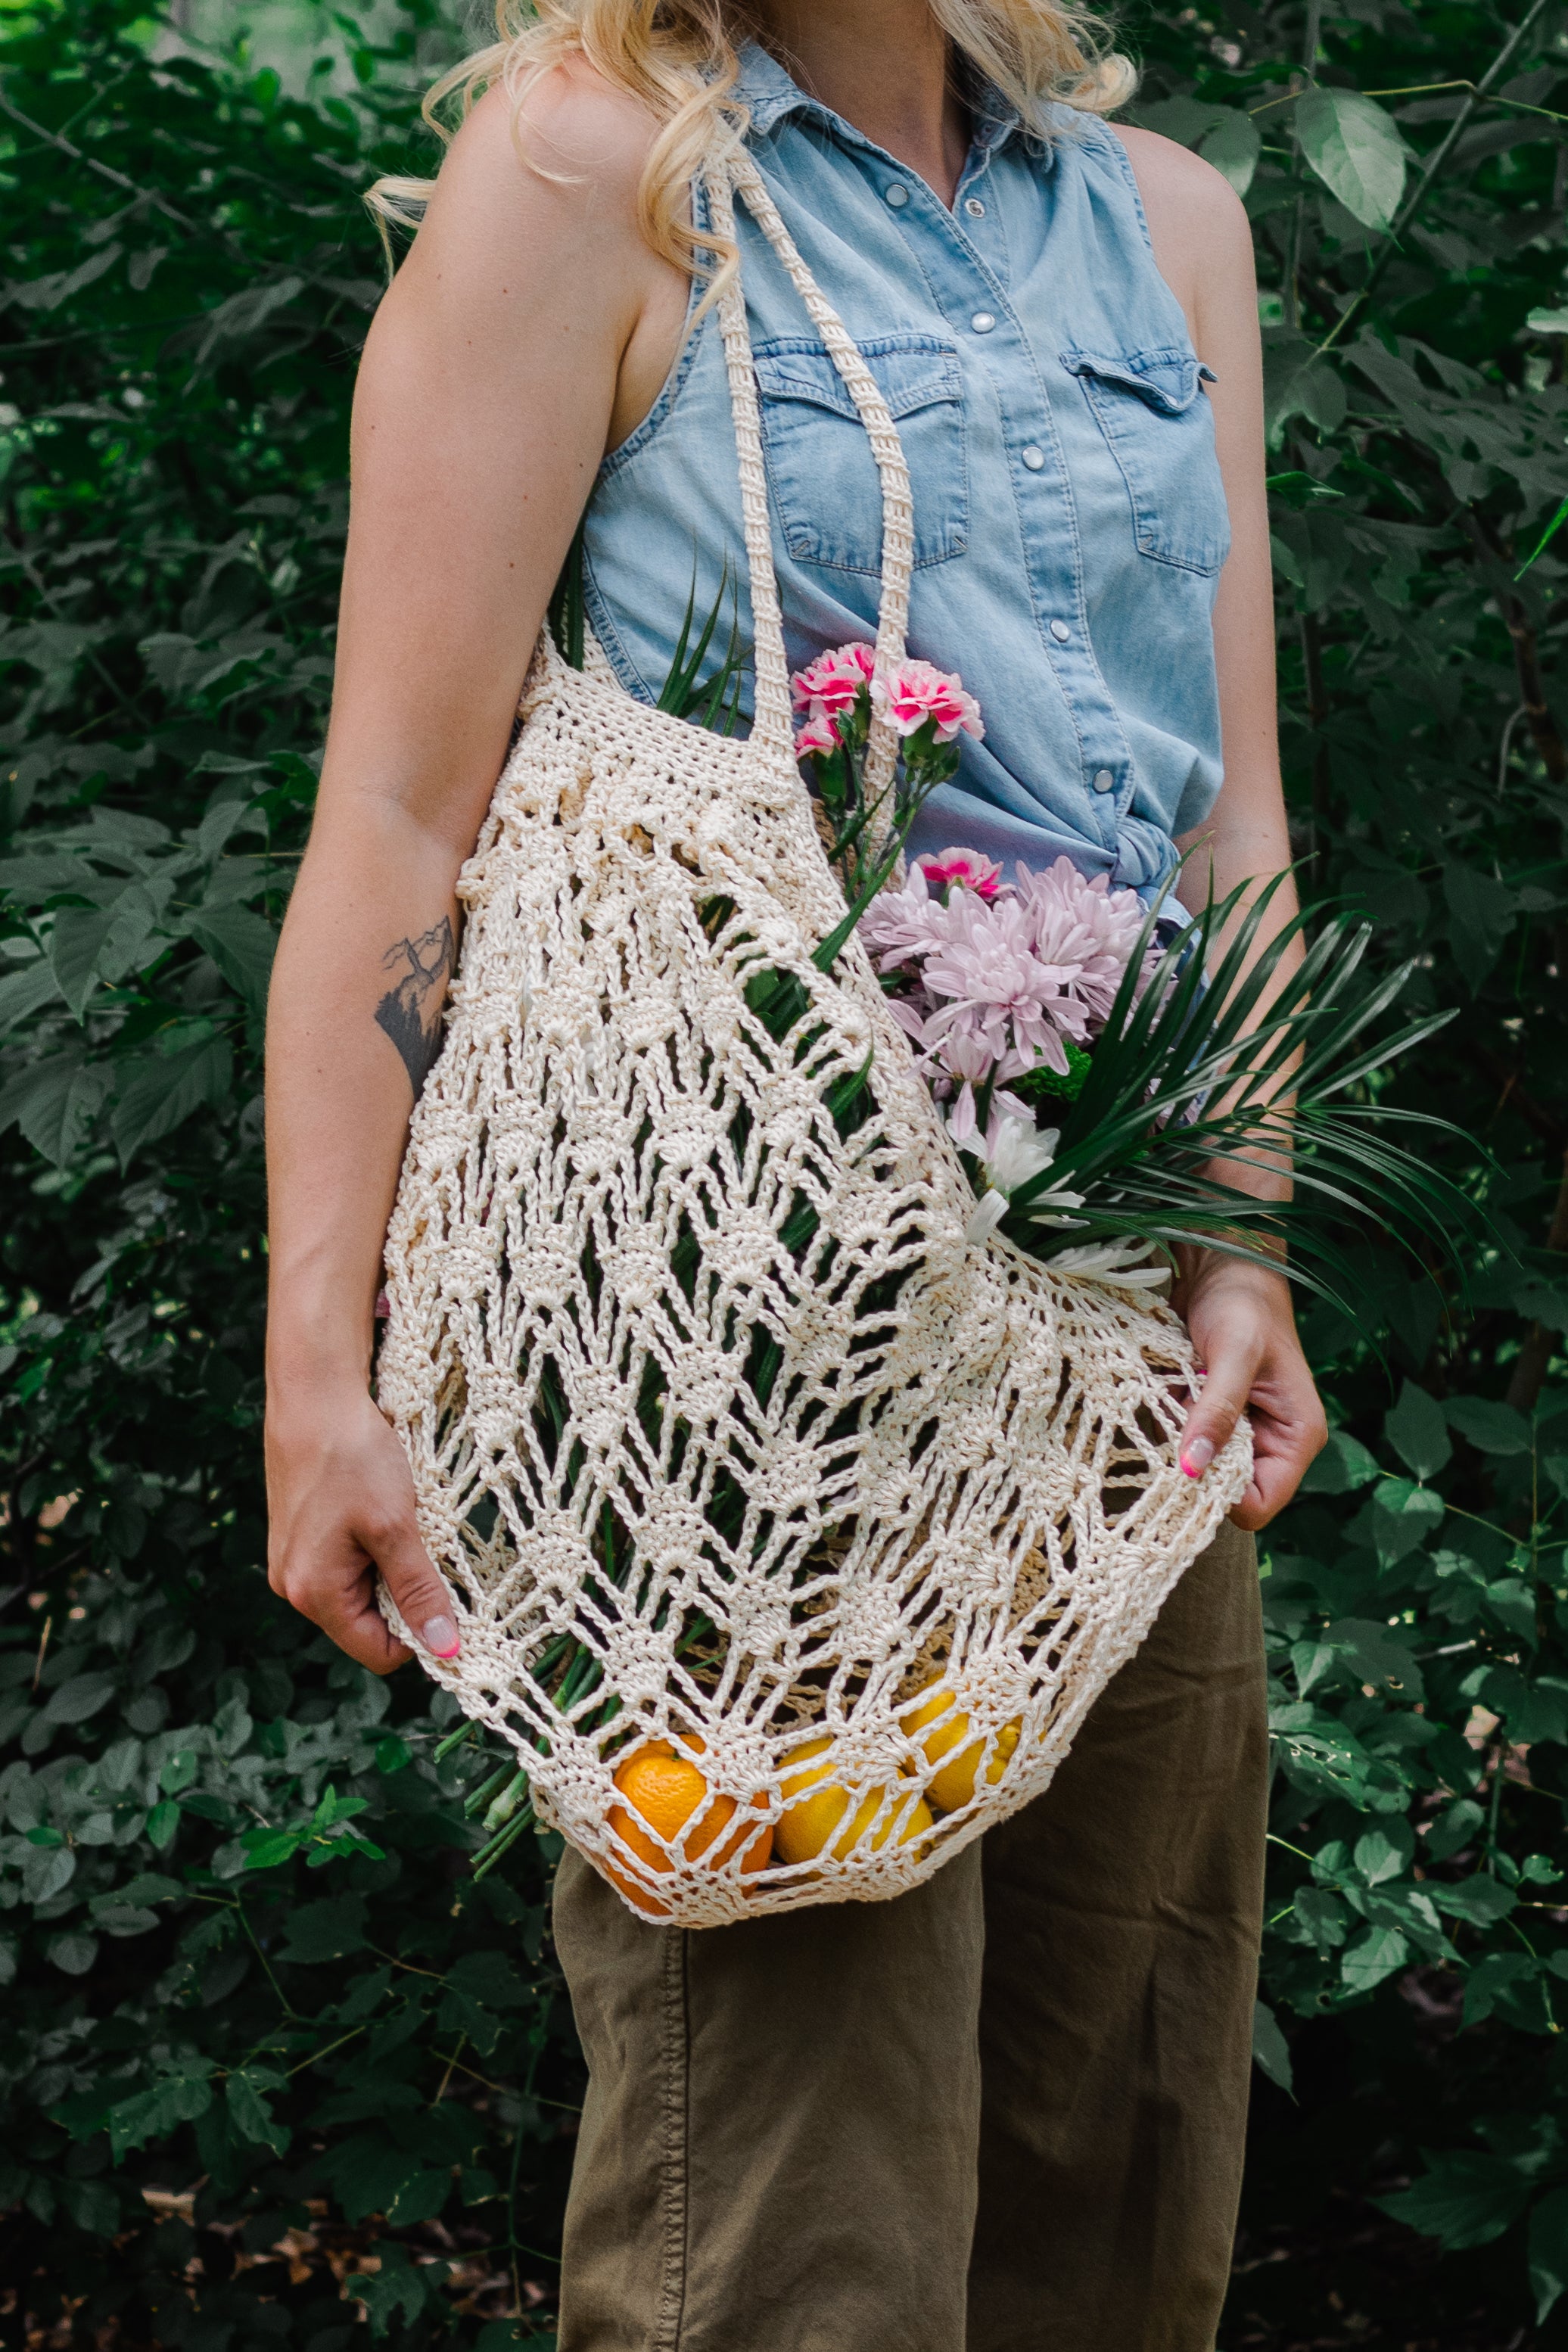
{"type": "Point", "coordinates": [1195, 1071]}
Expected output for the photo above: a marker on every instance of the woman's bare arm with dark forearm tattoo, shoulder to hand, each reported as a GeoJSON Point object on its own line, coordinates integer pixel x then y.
{"type": "Point", "coordinates": [528, 330]}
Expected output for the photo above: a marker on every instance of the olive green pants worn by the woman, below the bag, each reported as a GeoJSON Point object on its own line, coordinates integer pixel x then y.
{"type": "Point", "coordinates": [1003, 2113]}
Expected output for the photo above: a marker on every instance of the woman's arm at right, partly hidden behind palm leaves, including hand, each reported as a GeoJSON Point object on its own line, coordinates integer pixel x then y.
{"type": "Point", "coordinates": [1240, 1316]}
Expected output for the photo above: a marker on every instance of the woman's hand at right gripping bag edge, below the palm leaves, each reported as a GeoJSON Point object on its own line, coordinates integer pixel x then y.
{"type": "Point", "coordinates": [1245, 1332]}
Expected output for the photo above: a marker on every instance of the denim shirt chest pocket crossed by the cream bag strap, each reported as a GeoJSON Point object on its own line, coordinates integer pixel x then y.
{"type": "Point", "coordinates": [819, 457]}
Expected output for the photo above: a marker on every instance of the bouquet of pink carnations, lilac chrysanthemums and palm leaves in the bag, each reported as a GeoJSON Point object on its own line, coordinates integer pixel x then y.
{"type": "Point", "coordinates": [1118, 1078]}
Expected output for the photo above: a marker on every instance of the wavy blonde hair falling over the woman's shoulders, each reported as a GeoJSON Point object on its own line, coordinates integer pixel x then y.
{"type": "Point", "coordinates": [678, 58]}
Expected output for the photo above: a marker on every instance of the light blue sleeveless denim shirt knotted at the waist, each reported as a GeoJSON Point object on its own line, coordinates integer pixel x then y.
{"type": "Point", "coordinates": [1068, 505]}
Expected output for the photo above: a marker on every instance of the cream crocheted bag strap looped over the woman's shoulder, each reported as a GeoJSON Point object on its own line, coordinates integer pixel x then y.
{"type": "Point", "coordinates": [737, 175]}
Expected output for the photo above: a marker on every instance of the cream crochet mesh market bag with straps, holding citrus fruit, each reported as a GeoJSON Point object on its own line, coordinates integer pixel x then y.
{"type": "Point", "coordinates": [695, 1382]}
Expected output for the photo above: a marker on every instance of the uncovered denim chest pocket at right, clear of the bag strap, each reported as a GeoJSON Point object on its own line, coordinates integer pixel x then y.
{"type": "Point", "coordinates": [1160, 427]}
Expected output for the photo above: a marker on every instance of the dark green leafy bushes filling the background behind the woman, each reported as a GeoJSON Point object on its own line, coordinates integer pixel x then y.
{"type": "Point", "coordinates": [274, 2064]}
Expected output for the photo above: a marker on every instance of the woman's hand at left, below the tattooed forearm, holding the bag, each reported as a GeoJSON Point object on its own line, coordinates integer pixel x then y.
{"type": "Point", "coordinates": [342, 1514]}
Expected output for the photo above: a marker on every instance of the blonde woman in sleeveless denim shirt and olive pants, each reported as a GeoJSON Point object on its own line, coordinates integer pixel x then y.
{"type": "Point", "coordinates": [1007, 2109]}
